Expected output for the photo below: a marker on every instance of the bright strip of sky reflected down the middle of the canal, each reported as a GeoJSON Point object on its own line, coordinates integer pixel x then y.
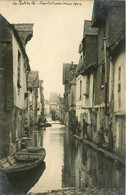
{"type": "Point", "coordinates": [53, 139]}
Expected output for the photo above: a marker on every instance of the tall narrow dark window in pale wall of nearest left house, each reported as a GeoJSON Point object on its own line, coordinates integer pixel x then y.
{"type": "Point", "coordinates": [18, 72]}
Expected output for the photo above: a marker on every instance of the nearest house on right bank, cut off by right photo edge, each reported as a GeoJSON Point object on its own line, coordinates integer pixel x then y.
{"type": "Point", "coordinates": [109, 17]}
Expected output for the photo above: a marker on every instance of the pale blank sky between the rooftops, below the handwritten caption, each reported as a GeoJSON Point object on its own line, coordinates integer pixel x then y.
{"type": "Point", "coordinates": [57, 33]}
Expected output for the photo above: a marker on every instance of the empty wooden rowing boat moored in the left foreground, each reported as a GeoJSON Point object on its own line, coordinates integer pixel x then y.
{"type": "Point", "coordinates": [22, 161]}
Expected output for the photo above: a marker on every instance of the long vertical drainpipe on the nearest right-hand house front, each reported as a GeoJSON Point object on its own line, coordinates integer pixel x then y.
{"type": "Point", "coordinates": [106, 77]}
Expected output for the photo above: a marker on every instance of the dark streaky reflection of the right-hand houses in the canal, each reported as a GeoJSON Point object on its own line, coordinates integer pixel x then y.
{"type": "Point", "coordinates": [89, 168]}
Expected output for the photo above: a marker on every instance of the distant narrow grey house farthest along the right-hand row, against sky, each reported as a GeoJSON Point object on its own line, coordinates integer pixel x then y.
{"type": "Point", "coordinates": [69, 91]}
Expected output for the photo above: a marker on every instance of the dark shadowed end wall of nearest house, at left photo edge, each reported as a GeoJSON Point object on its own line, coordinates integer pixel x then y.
{"type": "Point", "coordinates": [6, 87]}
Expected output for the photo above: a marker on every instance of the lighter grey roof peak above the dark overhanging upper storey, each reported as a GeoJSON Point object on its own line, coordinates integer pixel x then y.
{"type": "Point", "coordinates": [88, 29]}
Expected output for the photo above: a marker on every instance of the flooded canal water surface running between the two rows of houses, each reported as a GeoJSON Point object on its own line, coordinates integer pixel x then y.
{"type": "Point", "coordinates": [70, 163]}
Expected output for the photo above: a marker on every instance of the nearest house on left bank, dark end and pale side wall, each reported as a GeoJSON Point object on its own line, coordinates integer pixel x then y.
{"type": "Point", "coordinates": [14, 68]}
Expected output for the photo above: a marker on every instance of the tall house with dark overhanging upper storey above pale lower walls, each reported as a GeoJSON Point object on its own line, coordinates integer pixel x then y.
{"type": "Point", "coordinates": [85, 74]}
